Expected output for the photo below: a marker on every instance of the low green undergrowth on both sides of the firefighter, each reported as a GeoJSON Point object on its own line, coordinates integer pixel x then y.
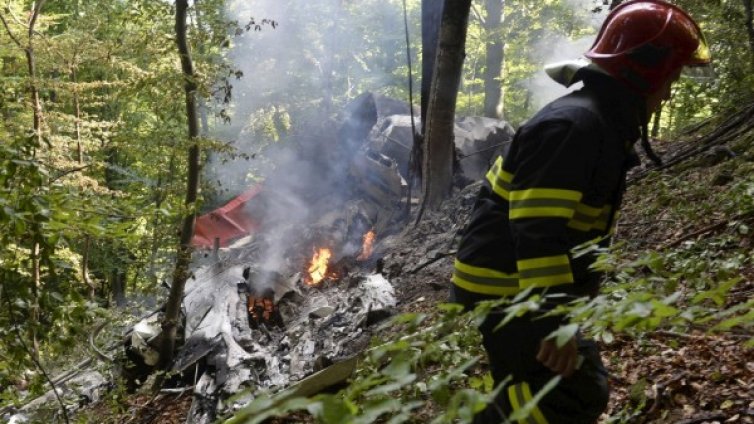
{"type": "Point", "coordinates": [430, 368]}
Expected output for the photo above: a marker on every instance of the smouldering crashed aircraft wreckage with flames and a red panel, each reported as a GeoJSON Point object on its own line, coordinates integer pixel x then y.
{"type": "Point", "coordinates": [286, 280]}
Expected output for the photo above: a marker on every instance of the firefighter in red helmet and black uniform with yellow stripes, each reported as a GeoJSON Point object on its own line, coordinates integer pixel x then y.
{"type": "Point", "coordinates": [557, 187]}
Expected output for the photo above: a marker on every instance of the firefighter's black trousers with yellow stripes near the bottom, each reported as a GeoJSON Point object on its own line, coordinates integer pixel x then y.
{"type": "Point", "coordinates": [512, 352]}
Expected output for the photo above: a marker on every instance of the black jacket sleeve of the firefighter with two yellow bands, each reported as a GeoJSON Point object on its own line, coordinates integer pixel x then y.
{"type": "Point", "coordinates": [551, 166]}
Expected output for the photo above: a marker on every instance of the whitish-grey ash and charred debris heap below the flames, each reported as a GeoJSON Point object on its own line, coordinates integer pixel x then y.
{"type": "Point", "coordinates": [321, 326]}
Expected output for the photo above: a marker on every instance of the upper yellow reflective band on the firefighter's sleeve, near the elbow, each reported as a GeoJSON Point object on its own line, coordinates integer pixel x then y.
{"type": "Point", "coordinates": [543, 203]}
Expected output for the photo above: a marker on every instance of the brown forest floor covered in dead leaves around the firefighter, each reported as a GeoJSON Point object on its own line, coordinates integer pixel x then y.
{"type": "Point", "coordinates": [665, 375]}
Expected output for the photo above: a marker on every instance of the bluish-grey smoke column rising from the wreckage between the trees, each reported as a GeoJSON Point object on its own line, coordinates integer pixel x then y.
{"type": "Point", "coordinates": [296, 78]}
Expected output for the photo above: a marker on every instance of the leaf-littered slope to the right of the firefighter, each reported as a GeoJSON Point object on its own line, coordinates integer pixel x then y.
{"type": "Point", "coordinates": [696, 215]}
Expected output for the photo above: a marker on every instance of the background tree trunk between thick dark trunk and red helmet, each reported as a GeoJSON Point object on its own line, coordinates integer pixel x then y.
{"type": "Point", "coordinates": [494, 59]}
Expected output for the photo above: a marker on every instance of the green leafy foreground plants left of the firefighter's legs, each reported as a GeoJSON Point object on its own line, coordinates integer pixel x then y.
{"type": "Point", "coordinates": [430, 360]}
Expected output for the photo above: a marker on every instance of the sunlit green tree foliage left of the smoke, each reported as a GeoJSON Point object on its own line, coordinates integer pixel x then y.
{"type": "Point", "coordinates": [98, 197]}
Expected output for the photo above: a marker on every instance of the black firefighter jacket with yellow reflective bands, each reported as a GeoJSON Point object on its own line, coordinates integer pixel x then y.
{"type": "Point", "coordinates": [559, 185]}
